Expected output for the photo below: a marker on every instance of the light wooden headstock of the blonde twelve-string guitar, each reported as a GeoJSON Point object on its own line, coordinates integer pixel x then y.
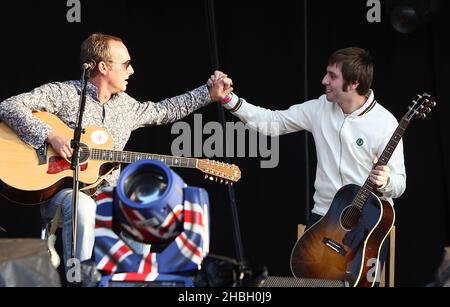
{"type": "Point", "coordinates": [219, 171]}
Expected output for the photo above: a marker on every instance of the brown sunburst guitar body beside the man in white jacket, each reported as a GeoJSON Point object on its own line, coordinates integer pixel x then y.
{"type": "Point", "coordinates": [331, 249]}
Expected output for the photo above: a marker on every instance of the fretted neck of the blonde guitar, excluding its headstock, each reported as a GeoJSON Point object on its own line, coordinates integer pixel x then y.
{"type": "Point", "coordinates": [130, 157]}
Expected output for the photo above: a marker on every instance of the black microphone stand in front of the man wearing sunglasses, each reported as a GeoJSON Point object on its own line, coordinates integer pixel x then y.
{"type": "Point", "coordinates": [75, 144]}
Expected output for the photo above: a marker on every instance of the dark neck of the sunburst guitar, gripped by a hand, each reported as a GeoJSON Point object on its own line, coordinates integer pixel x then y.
{"type": "Point", "coordinates": [369, 186]}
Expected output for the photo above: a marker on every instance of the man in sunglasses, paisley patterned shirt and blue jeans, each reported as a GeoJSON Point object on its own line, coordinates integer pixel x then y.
{"type": "Point", "coordinates": [107, 106]}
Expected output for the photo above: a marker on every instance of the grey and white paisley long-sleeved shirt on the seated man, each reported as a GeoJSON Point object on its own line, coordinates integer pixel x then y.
{"type": "Point", "coordinates": [120, 115]}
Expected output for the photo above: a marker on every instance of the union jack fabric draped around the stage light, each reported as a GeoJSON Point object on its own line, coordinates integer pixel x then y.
{"type": "Point", "coordinates": [183, 255]}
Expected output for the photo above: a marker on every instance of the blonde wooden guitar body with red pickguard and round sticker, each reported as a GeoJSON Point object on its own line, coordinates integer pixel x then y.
{"type": "Point", "coordinates": [26, 181]}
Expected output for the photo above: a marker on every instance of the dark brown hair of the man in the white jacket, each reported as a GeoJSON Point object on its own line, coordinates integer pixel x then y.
{"type": "Point", "coordinates": [357, 65]}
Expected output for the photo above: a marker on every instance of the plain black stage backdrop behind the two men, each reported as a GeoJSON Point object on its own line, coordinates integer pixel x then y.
{"type": "Point", "coordinates": [261, 47]}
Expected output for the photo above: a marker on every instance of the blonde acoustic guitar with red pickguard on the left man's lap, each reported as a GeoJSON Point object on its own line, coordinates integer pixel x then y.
{"type": "Point", "coordinates": [30, 176]}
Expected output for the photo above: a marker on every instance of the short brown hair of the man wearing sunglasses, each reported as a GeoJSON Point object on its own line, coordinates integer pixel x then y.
{"type": "Point", "coordinates": [96, 47]}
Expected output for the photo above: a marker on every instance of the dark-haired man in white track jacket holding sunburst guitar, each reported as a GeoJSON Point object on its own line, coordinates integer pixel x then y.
{"type": "Point", "coordinates": [350, 129]}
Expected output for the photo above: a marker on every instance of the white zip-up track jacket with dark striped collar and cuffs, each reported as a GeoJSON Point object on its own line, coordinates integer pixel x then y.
{"type": "Point", "coordinates": [346, 145]}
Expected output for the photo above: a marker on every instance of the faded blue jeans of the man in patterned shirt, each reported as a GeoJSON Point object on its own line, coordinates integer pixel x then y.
{"type": "Point", "coordinates": [85, 222]}
